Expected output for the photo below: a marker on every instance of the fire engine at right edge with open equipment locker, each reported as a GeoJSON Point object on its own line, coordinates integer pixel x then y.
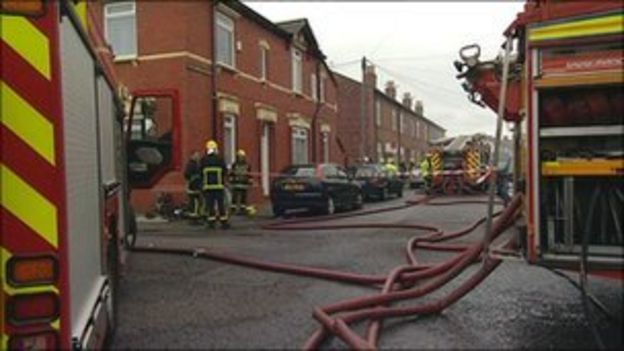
{"type": "Point", "coordinates": [563, 71]}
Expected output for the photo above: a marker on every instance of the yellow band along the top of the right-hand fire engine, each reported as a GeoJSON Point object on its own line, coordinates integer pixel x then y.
{"type": "Point", "coordinates": [591, 26]}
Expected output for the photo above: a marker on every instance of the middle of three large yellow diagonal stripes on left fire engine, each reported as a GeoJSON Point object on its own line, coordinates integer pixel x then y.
{"type": "Point", "coordinates": [25, 121]}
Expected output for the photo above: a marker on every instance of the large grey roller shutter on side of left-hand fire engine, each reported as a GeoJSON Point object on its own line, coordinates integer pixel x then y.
{"type": "Point", "coordinates": [82, 177]}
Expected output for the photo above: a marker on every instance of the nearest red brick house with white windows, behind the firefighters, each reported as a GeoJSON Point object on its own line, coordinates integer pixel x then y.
{"type": "Point", "coordinates": [269, 93]}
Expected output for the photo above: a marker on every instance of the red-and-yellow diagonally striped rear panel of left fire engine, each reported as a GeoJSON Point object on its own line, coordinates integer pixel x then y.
{"type": "Point", "coordinates": [32, 181]}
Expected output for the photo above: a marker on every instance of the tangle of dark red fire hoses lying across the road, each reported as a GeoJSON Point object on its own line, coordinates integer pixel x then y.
{"type": "Point", "coordinates": [399, 284]}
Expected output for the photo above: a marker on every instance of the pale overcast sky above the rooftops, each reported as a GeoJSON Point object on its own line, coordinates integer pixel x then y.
{"type": "Point", "coordinates": [412, 43]}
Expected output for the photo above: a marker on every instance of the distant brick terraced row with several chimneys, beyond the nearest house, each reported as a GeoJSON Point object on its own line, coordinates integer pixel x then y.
{"type": "Point", "coordinates": [387, 128]}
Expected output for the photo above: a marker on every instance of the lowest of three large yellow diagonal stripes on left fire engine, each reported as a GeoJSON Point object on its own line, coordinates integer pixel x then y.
{"type": "Point", "coordinates": [25, 203]}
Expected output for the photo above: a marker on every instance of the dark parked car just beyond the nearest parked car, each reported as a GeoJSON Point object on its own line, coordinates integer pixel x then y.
{"type": "Point", "coordinates": [376, 182]}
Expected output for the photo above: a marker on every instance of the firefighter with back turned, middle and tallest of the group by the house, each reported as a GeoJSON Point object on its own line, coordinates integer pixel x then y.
{"type": "Point", "coordinates": [214, 174]}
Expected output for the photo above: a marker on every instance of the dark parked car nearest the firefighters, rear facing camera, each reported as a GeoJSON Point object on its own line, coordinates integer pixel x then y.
{"type": "Point", "coordinates": [322, 188]}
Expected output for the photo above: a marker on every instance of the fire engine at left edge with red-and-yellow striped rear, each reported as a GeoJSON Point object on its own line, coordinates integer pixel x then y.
{"type": "Point", "coordinates": [63, 196]}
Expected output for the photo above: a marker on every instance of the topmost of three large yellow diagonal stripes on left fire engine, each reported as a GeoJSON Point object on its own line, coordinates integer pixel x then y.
{"type": "Point", "coordinates": [28, 41]}
